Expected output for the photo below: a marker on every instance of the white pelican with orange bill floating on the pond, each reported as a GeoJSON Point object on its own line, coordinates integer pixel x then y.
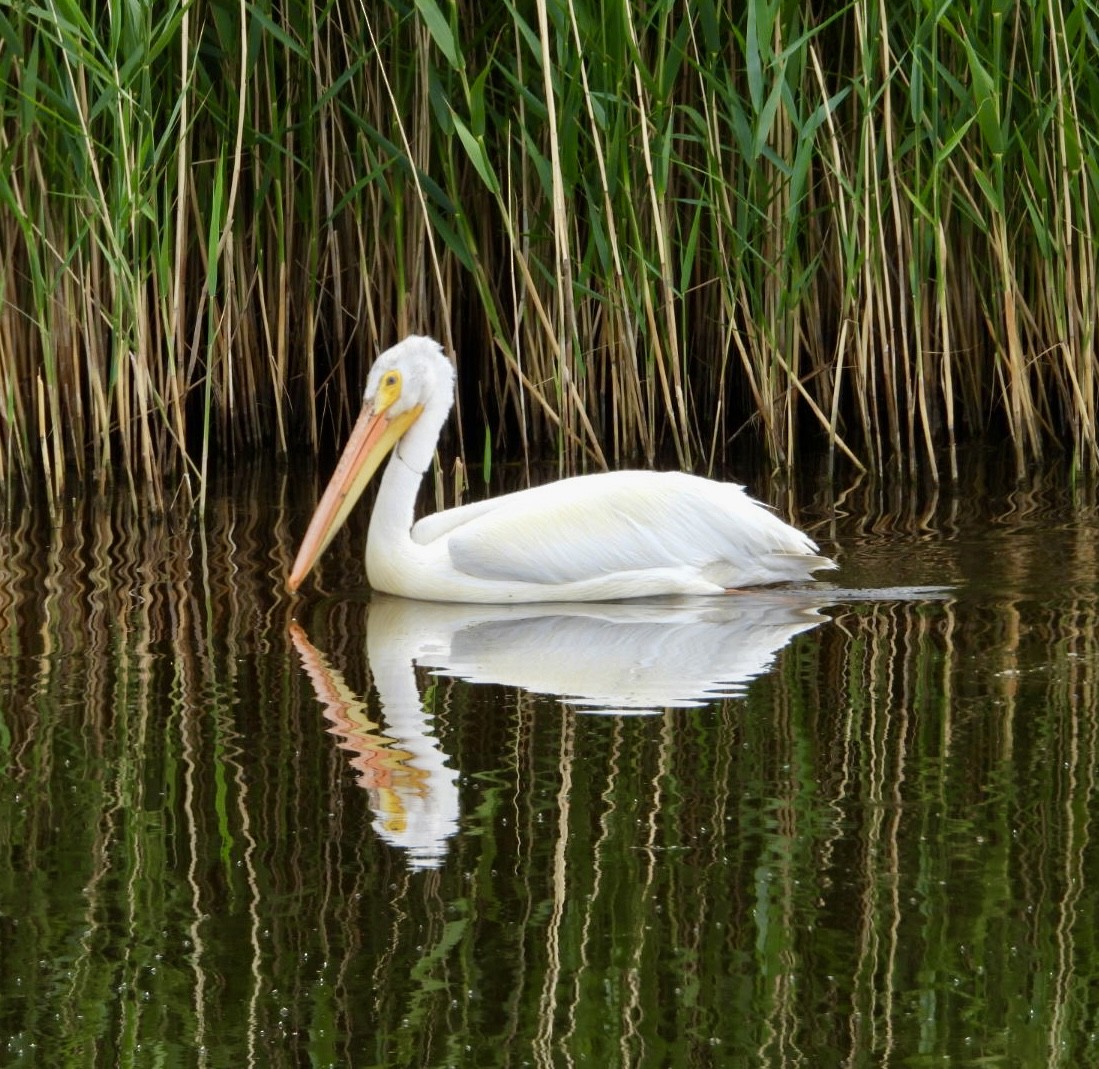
{"type": "Point", "coordinates": [593, 538]}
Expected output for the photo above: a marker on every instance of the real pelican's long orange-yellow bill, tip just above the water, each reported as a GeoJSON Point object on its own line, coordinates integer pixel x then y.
{"type": "Point", "coordinates": [373, 437]}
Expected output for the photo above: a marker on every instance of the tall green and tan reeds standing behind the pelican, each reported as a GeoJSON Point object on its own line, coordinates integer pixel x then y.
{"type": "Point", "coordinates": [647, 230]}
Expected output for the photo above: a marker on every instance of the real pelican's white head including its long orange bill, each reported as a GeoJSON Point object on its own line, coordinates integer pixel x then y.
{"type": "Point", "coordinates": [408, 381]}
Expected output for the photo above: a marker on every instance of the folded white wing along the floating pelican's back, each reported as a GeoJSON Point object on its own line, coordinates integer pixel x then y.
{"type": "Point", "coordinates": [623, 522]}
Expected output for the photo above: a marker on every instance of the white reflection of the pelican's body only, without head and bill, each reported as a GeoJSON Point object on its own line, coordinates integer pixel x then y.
{"type": "Point", "coordinates": [632, 656]}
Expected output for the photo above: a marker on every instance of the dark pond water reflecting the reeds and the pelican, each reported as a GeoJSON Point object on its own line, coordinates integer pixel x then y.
{"type": "Point", "coordinates": [849, 827]}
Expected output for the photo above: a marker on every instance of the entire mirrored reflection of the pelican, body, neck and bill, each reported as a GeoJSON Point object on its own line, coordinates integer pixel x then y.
{"type": "Point", "coordinates": [628, 658]}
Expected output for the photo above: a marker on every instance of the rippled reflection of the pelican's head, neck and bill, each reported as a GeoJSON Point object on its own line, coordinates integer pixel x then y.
{"type": "Point", "coordinates": [414, 795]}
